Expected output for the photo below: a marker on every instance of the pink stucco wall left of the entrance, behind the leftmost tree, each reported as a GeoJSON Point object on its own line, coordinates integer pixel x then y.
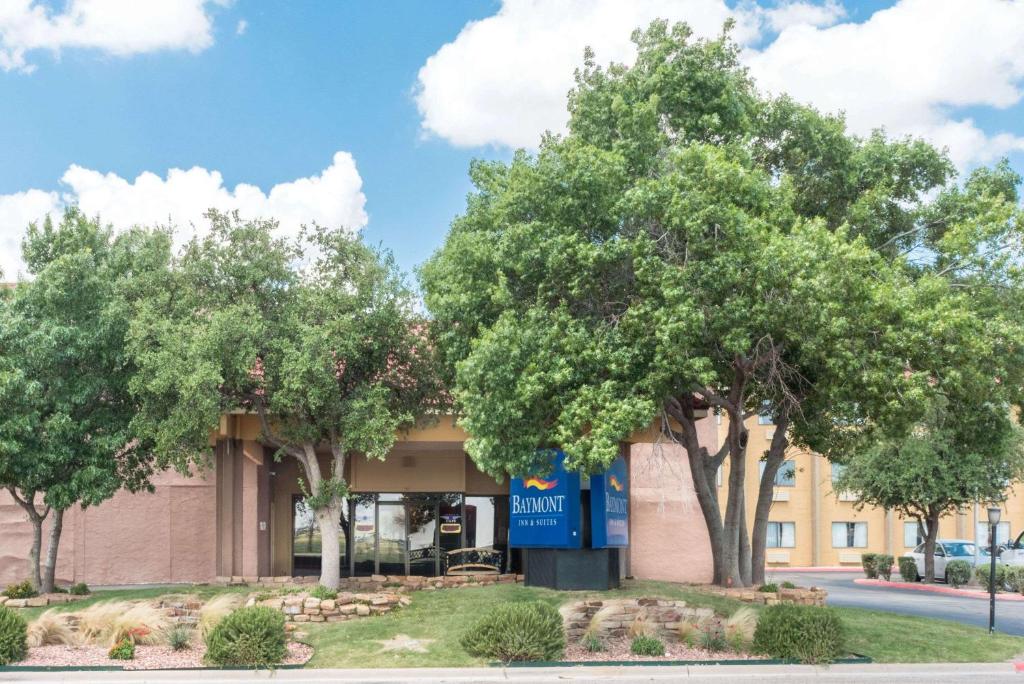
{"type": "Point", "coordinates": [168, 536]}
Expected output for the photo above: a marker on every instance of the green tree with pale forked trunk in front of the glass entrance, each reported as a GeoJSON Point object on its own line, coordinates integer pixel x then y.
{"type": "Point", "coordinates": [320, 339]}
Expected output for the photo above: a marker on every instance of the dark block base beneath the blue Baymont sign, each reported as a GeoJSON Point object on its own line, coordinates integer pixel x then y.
{"type": "Point", "coordinates": [572, 570]}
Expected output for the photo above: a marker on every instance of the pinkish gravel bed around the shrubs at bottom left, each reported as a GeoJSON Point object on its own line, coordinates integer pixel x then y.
{"type": "Point", "coordinates": [147, 658]}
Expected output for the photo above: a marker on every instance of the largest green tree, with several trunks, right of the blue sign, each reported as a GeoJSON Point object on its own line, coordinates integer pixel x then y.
{"type": "Point", "coordinates": [689, 244]}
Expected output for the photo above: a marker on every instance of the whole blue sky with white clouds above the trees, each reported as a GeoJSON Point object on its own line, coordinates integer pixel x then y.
{"type": "Point", "coordinates": [367, 115]}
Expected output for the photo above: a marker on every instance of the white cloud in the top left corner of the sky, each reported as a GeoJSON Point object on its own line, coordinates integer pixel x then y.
{"type": "Point", "coordinates": [120, 28]}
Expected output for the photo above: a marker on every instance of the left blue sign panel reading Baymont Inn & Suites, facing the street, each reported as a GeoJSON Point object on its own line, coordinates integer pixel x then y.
{"type": "Point", "coordinates": [545, 510]}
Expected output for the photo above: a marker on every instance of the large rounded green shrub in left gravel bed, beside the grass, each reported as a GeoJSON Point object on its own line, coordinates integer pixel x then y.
{"type": "Point", "coordinates": [248, 637]}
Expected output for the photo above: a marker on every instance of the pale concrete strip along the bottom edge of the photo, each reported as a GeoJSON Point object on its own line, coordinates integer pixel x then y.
{"type": "Point", "coordinates": [912, 674]}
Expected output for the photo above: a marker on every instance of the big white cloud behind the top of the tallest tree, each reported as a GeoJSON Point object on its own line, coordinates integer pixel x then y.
{"type": "Point", "coordinates": [503, 80]}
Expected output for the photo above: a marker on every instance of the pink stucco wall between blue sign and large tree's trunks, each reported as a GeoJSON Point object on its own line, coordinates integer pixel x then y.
{"type": "Point", "coordinates": [669, 540]}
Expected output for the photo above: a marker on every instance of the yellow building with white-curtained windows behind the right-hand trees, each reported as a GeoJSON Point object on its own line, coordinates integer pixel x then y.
{"type": "Point", "coordinates": [814, 526]}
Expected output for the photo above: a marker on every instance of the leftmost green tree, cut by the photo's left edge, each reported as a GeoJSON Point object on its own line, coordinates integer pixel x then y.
{"type": "Point", "coordinates": [65, 406]}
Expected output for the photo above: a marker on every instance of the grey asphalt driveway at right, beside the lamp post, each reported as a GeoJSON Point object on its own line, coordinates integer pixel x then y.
{"type": "Point", "coordinates": [842, 592]}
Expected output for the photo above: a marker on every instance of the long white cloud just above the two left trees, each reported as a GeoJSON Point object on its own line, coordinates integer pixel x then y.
{"type": "Point", "coordinates": [332, 198]}
